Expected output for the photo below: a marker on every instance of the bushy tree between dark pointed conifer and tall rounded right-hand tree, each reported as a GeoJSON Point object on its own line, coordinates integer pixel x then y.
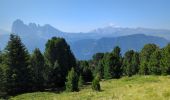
{"type": "Point", "coordinates": [130, 63]}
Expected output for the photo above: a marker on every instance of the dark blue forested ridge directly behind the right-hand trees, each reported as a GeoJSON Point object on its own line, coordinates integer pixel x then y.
{"type": "Point", "coordinates": [135, 42]}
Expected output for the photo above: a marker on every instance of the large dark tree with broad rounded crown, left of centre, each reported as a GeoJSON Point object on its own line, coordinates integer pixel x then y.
{"type": "Point", "coordinates": [58, 50]}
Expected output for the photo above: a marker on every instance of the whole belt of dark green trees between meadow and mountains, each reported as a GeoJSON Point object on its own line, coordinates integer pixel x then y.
{"type": "Point", "coordinates": [57, 69]}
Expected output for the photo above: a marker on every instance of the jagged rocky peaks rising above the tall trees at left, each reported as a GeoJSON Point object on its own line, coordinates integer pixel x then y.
{"type": "Point", "coordinates": [32, 29]}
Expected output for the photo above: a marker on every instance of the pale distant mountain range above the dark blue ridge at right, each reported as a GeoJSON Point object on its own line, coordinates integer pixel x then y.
{"type": "Point", "coordinates": [119, 31]}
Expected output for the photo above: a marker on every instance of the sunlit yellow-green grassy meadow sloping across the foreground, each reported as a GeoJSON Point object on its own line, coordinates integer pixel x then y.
{"type": "Point", "coordinates": [133, 88]}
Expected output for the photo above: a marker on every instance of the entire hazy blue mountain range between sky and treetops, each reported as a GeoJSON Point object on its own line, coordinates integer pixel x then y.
{"type": "Point", "coordinates": [84, 45]}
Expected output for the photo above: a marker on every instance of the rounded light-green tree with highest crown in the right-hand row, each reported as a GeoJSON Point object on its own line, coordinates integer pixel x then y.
{"type": "Point", "coordinates": [145, 55]}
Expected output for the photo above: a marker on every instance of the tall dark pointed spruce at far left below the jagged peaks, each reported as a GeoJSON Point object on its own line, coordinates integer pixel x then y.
{"type": "Point", "coordinates": [18, 79]}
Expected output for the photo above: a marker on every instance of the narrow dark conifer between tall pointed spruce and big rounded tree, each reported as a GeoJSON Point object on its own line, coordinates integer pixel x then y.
{"type": "Point", "coordinates": [38, 70]}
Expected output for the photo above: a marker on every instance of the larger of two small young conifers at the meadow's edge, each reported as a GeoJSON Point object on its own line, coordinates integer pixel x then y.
{"type": "Point", "coordinates": [72, 81]}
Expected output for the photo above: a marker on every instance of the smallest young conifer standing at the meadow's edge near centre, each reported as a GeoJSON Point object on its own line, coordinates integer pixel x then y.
{"type": "Point", "coordinates": [96, 83]}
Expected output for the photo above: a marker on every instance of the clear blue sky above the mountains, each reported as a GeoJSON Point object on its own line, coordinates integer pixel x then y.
{"type": "Point", "coordinates": [85, 15]}
